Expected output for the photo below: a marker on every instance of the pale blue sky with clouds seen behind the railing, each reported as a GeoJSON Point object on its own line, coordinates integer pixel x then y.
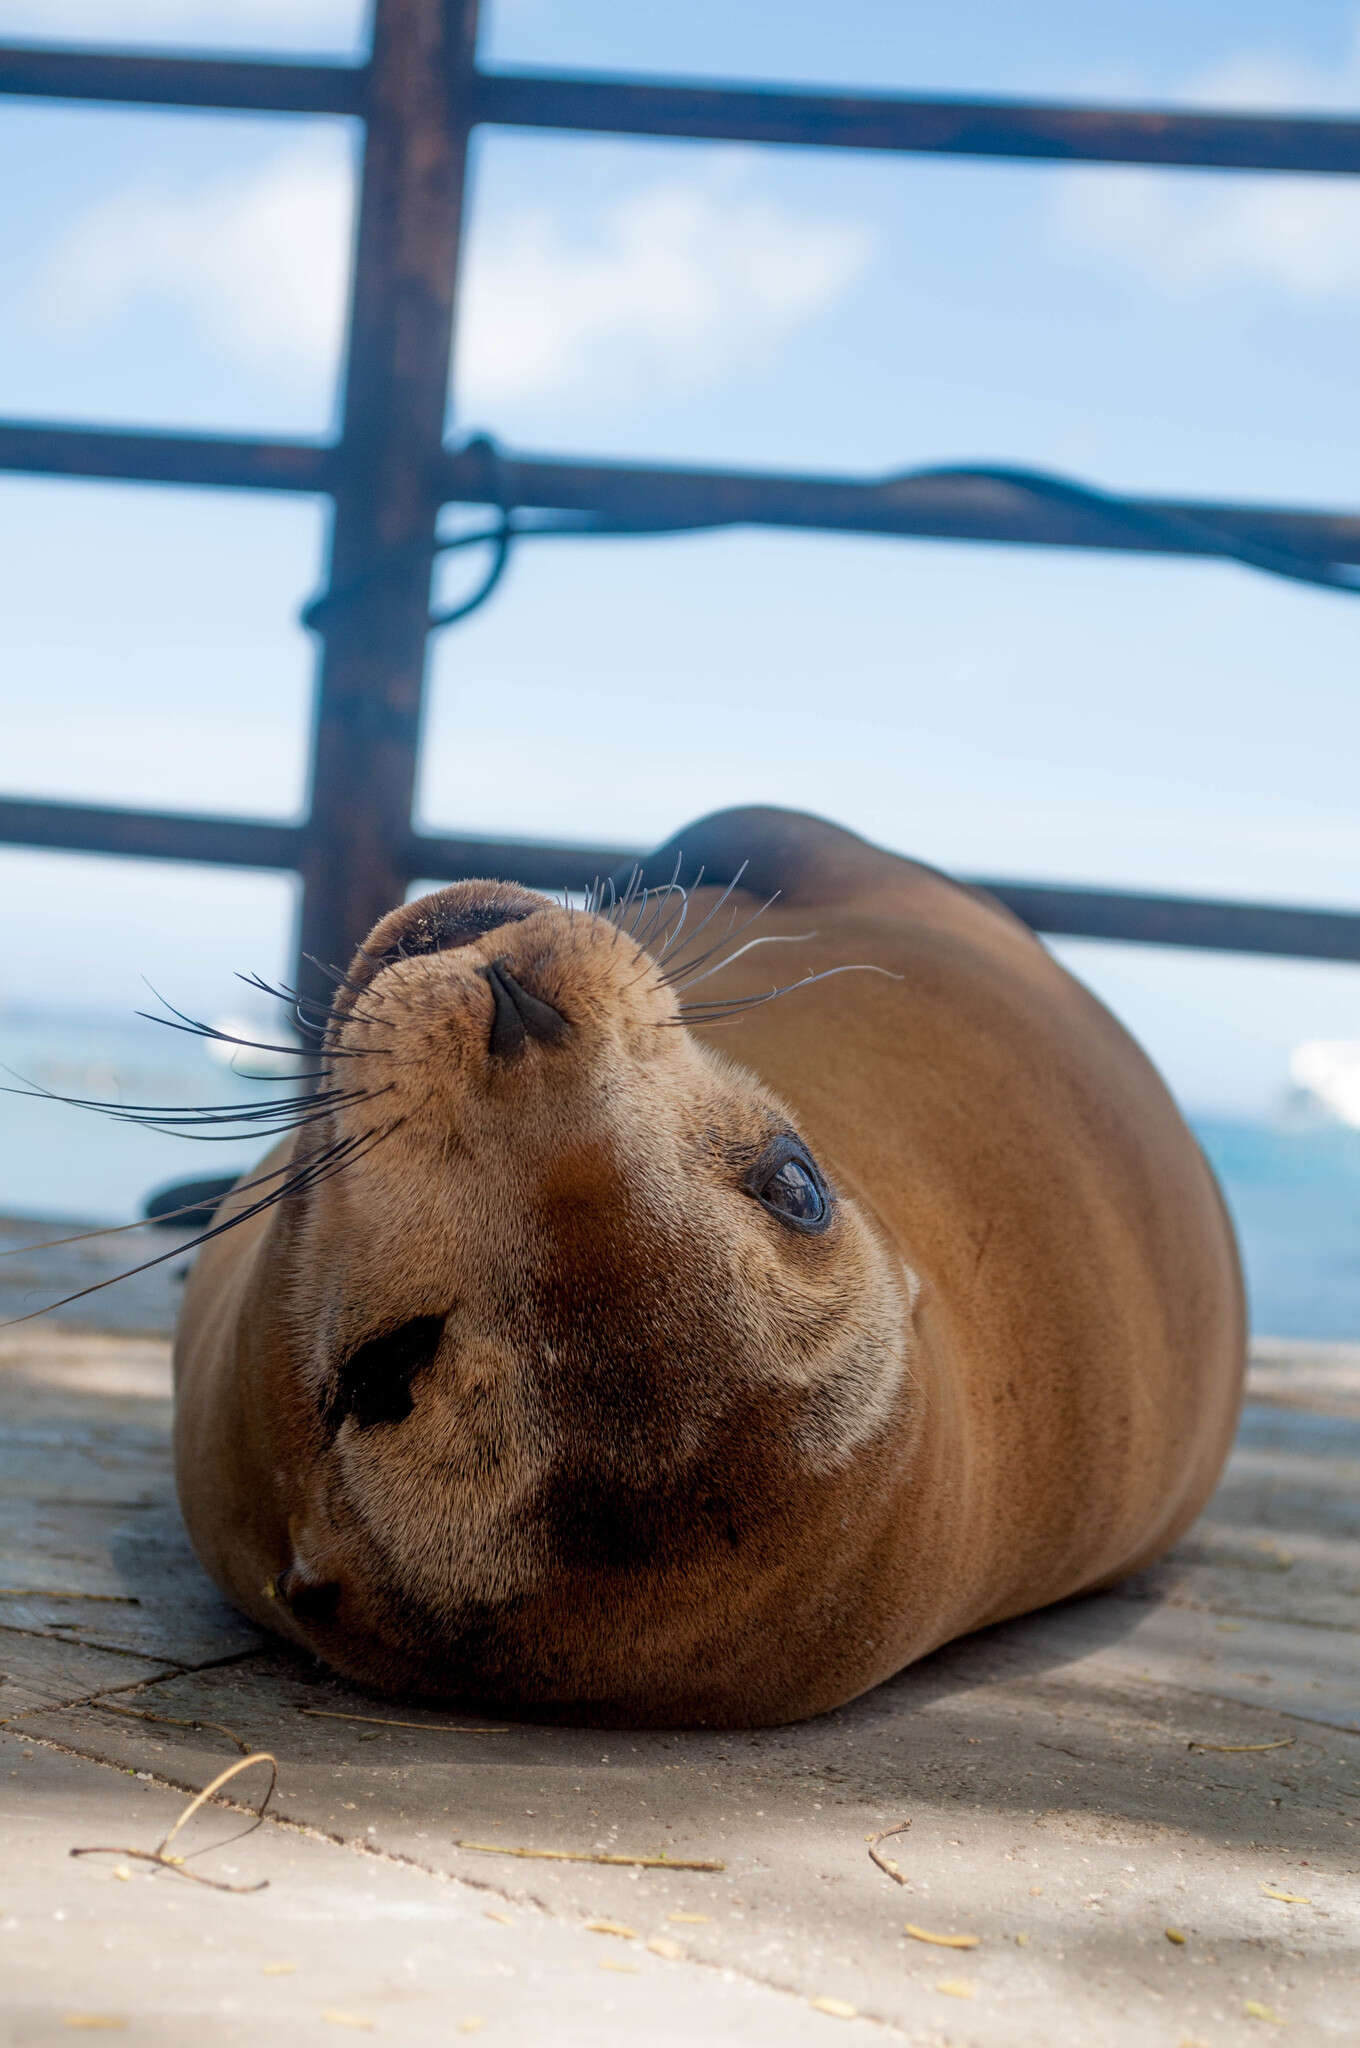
{"type": "Point", "coordinates": [996, 712]}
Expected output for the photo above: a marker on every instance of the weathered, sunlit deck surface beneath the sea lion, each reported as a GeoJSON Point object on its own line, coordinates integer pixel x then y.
{"type": "Point", "coordinates": [1132, 1820]}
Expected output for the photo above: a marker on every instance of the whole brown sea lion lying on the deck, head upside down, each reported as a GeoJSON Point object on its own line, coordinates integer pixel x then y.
{"type": "Point", "coordinates": [636, 1351]}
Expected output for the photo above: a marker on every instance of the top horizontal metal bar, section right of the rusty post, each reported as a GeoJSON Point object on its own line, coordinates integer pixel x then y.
{"type": "Point", "coordinates": [937, 126]}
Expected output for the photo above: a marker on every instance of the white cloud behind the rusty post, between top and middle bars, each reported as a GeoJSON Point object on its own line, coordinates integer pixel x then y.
{"type": "Point", "coordinates": [677, 282]}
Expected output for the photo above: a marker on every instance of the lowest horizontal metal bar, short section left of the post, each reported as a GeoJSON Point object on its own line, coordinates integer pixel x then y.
{"type": "Point", "coordinates": [87, 828]}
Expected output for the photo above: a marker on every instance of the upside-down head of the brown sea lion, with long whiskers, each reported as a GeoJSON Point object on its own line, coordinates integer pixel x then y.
{"type": "Point", "coordinates": [587, 1361]}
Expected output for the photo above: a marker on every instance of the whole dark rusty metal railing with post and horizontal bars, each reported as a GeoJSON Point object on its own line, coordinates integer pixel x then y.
{"type": "Point", "coordinates": [390, 474]}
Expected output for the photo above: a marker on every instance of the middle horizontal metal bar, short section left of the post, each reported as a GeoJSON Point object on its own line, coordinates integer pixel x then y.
{"type": "Point", "coordinates": [42, 447]}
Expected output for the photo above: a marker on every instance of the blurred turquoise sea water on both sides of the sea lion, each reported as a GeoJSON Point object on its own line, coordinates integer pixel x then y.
{"type": "Point", "coordinates": [1293, 1187]}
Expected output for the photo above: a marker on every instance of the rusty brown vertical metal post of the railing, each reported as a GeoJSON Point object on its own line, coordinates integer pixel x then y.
{"type": "Point", "coordinates": [388, 480]}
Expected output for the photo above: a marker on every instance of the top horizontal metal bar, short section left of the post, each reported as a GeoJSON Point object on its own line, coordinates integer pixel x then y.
{"type": "Point", "coordinates": [153, 81]}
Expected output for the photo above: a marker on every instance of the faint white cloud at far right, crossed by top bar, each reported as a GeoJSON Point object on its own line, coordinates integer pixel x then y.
{"type": "Point", "coordinates": [1207, 230]}
